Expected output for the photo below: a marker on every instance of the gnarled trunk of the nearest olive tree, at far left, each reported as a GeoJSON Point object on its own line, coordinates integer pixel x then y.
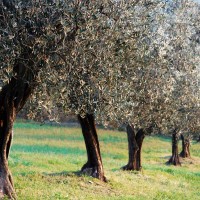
{"type": "Point", "coordinates": [12, 98]}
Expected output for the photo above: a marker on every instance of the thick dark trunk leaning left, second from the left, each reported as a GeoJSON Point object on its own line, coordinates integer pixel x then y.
{"type": "Point", "coordinates": [93, 166]}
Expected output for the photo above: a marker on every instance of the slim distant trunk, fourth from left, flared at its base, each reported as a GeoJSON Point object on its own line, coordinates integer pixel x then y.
{"type": "Point", "coordinates": [175, 156]}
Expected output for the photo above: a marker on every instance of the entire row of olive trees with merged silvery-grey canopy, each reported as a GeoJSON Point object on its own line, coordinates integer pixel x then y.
{"type": "Point", "coordinates": [131, 62]}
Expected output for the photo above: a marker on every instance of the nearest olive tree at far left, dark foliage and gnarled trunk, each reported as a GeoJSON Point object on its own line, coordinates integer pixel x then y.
{"type": "Point", "coordinates": [33, 35]}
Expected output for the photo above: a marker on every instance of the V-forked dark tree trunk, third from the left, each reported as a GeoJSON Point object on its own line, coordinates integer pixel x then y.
{"type": "Point", "coordinates": [134, 148]}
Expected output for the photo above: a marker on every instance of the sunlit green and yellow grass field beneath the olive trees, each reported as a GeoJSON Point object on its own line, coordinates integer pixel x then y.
{"type": "Point", "coordinates": [44, 161]}
